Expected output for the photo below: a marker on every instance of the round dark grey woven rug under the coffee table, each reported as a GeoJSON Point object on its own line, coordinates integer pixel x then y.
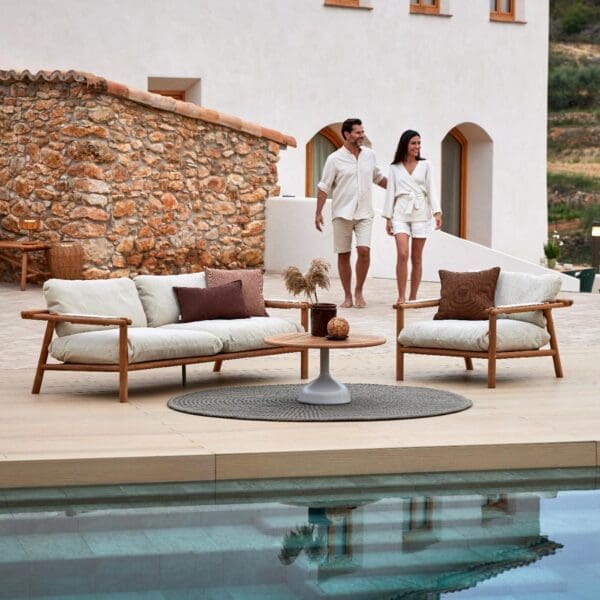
{"type": "Point", "coordinates": [279, 403]}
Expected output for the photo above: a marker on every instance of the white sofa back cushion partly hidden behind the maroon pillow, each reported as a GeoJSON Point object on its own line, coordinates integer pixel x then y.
{"type": "Point", "coordinates": [157, 296]}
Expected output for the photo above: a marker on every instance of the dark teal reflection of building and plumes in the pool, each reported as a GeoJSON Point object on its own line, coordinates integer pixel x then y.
{"type": "Point", "coordinates": [427, 545]}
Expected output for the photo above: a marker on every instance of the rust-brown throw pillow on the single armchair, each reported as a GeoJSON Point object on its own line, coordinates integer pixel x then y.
{"type": "Point", "coordinates": [467, 295]}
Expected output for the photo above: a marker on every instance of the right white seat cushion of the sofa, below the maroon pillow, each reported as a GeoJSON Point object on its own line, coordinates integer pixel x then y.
{"type": "Point", "coordinates": [238, 335]}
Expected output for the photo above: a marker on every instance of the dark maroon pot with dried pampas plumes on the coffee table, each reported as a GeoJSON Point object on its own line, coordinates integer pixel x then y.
{"type": "Point", "coordinates": [317, 276]}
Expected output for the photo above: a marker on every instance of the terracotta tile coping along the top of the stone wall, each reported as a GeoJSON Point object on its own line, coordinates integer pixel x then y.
{"type": "Point", "coordinates": [187, 109]}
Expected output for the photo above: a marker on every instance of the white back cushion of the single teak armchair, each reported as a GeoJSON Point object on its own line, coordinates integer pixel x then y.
{"type": "Point", "coordinates": [523, 288]}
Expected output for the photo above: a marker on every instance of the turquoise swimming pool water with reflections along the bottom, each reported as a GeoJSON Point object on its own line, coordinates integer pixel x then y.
{"type": "Point", "coordinates": [509, 535]}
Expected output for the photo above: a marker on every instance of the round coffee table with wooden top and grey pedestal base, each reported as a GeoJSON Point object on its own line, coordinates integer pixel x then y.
{"type": "Point", "coordinates": [324, 389]}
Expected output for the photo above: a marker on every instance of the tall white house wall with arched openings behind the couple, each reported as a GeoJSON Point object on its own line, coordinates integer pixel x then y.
{"type": "Point", "coordinates": [295, 66]}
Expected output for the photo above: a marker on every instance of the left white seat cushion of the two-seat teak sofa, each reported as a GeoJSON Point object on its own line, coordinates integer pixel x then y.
{"type": "Point", "coordinates": [143, 344]}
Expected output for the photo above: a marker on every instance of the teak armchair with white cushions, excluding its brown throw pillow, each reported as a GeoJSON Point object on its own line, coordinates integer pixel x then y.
{"type": "Point", "coordinates": [520, 325]}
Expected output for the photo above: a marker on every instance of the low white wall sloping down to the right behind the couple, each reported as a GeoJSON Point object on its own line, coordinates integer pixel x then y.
{"type": "Point", "coordinates": [291, 239]}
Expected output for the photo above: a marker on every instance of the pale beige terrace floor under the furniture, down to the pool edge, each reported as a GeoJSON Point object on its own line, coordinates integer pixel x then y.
{"type": "Point", "coordinates": [76, 432]}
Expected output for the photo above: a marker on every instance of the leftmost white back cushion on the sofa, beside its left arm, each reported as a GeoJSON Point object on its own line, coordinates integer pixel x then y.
{"type": "Point", "coordinates": [97, 297]}
